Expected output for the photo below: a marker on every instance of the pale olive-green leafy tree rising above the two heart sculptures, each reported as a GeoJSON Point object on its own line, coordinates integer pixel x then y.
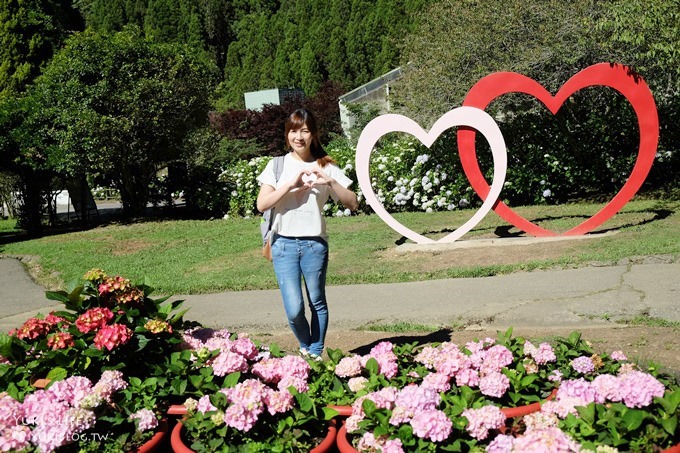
{"type": "Point", "coordinates": [459, 42]}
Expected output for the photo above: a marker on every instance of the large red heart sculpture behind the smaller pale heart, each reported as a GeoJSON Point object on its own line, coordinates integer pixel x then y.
{"type": "Point", "coordinates": [618, 77]}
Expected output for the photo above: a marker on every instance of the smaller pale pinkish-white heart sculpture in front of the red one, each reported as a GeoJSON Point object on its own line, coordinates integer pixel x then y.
{"type": "Point", "coordinates": [461, 116]}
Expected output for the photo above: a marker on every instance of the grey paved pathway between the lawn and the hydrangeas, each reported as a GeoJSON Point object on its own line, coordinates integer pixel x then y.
{"type": "Point", "coordinates": [573, 298]}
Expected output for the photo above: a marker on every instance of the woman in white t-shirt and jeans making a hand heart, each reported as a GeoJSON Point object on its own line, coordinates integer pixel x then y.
{"type": "Point", "coordinates": [300, 247]}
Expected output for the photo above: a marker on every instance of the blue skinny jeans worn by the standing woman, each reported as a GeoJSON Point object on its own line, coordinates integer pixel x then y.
{"type": "Point", "coordinates": [298, 260]}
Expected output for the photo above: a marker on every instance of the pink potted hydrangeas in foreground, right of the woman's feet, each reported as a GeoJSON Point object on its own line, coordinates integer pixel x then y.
{"type": "Point", "coordinates": [451, 398]}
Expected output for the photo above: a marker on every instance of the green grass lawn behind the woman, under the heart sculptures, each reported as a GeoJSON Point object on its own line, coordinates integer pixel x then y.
{"type": "Point", "coordinates": [190, 256]}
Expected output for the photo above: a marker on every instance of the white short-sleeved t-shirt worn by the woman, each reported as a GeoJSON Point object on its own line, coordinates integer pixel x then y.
{"type": "Point", "coordinates": [300, 212]}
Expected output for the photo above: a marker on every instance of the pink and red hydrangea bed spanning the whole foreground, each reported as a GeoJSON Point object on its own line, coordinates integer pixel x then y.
{"type": "Point", "coordinates": [114, 360]}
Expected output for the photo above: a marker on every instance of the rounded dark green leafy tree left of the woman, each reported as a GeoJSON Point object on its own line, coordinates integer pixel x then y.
{"type": "Point", "coordinates": [118, 108]}
